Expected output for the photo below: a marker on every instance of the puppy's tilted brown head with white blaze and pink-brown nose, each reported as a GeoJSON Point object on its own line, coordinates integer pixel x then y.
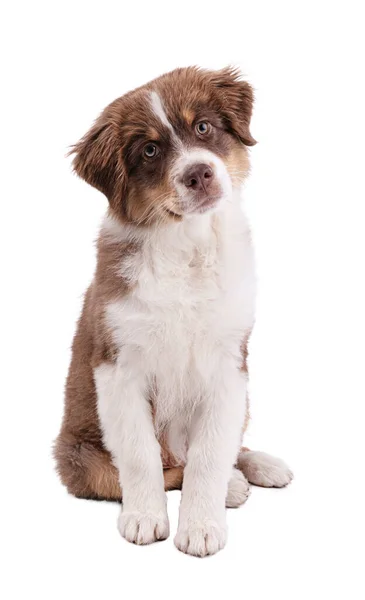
{"type": "Point", "coordinates": [174, 147]}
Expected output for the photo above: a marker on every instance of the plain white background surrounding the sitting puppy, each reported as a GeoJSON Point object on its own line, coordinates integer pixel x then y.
{"type": "Point", "coordinates": [62, 62]}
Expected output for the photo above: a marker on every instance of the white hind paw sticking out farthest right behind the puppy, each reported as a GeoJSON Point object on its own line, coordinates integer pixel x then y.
{"type": "Point", "coordinates": [264, 470]}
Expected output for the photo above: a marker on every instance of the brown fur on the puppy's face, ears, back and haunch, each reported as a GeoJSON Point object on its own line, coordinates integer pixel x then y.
{"type": "Point", "coordinates": [106, 158]}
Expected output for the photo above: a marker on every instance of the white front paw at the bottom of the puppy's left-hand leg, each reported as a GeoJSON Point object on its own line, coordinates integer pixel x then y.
{"type": "Point", "coordinates": [143, 528]}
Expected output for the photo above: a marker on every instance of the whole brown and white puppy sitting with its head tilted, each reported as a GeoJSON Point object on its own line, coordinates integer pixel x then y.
{"type": "Point", "coordinates": [156, 395]}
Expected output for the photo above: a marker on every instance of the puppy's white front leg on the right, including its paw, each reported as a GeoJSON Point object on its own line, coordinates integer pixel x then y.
{"type": "Point", "coordinates": [213, 446]}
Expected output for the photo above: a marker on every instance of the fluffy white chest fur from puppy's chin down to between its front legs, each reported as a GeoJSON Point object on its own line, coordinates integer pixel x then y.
{"type": "Point", "coordinates": [192, 303]}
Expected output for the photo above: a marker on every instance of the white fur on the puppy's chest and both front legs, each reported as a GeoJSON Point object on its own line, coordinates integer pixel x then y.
{"type": "Point", "coordinates": [179, 333]}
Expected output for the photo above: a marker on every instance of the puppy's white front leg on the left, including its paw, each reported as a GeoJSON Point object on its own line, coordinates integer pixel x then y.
{"type": "Point", "coordinates": [126, 420]}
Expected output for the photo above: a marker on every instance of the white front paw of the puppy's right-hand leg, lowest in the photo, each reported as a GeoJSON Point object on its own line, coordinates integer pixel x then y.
{"type": "Point", "coordinates": [201, 539]}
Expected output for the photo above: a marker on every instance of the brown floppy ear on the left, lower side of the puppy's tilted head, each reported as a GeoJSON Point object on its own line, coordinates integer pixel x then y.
{"type": "Point", "coordinates": [98, 160]}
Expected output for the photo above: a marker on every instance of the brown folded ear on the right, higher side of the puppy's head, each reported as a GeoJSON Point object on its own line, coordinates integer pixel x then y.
{"type": "Point", "coordinates": [236, 98]}
